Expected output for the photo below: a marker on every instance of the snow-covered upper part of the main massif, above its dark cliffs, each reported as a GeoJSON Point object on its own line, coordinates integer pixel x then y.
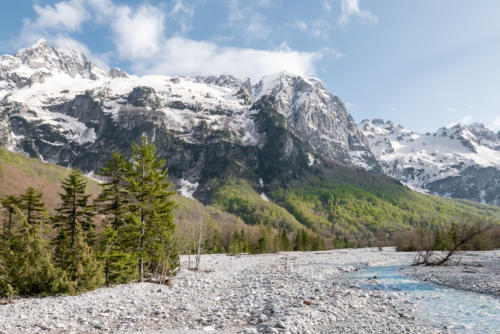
{"type": "Point", "coordinates": [41, 78]}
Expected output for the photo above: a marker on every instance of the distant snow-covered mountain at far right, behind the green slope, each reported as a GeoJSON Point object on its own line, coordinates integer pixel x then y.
{"type": "Point", "coordinates": [462, 161]}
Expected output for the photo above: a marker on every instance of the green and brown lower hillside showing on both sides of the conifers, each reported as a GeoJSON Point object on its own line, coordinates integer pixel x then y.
{"type": "Point", "coordinates": [351, 208]}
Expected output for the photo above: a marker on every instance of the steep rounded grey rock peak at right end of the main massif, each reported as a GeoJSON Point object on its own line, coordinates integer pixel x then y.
{"type": "Point", "coordinates": [317, 116]}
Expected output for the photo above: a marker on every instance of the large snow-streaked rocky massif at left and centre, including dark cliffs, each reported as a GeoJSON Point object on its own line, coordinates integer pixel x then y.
{"type": "Point", "coordinates": [60, 107]}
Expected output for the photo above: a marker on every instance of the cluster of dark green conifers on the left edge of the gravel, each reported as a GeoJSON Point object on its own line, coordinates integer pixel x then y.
{"type": "Point", "coordinates": [63, 253]}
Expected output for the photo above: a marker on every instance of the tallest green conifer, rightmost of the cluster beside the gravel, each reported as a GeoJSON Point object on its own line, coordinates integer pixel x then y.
{"type": "Point", "coordinates": [151, 223]}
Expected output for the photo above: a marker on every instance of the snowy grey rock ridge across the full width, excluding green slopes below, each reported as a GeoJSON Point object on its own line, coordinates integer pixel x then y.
{"type": "Point", "coordinates": [60, 107]}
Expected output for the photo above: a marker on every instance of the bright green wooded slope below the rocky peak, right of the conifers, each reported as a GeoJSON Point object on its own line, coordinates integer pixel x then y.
{"type": "Point", "coordinates": [346, 213]}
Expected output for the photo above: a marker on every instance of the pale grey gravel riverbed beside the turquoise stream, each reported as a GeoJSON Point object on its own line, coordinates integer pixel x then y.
{"type": "Point", "coordinates": [274, 293]}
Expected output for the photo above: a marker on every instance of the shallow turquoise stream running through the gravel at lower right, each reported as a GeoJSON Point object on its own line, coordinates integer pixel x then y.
{"type": "Point", "coordinates": [446, 309]}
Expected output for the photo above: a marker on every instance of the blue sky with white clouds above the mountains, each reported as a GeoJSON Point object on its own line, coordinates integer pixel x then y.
{"type": "Point", "coordinates": [423, 64]}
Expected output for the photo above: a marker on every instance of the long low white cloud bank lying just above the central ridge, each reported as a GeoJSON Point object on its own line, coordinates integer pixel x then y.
{"type": "Point", "coordinates": [180, 56]}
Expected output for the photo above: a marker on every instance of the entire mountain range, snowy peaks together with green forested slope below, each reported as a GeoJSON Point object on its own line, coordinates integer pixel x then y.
{"type": "Point", "coordinates": [283, 151]}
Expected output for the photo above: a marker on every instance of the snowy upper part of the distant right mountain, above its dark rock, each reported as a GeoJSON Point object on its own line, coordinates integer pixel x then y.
{"type": "Point", "coordinates": [419, 159]}
